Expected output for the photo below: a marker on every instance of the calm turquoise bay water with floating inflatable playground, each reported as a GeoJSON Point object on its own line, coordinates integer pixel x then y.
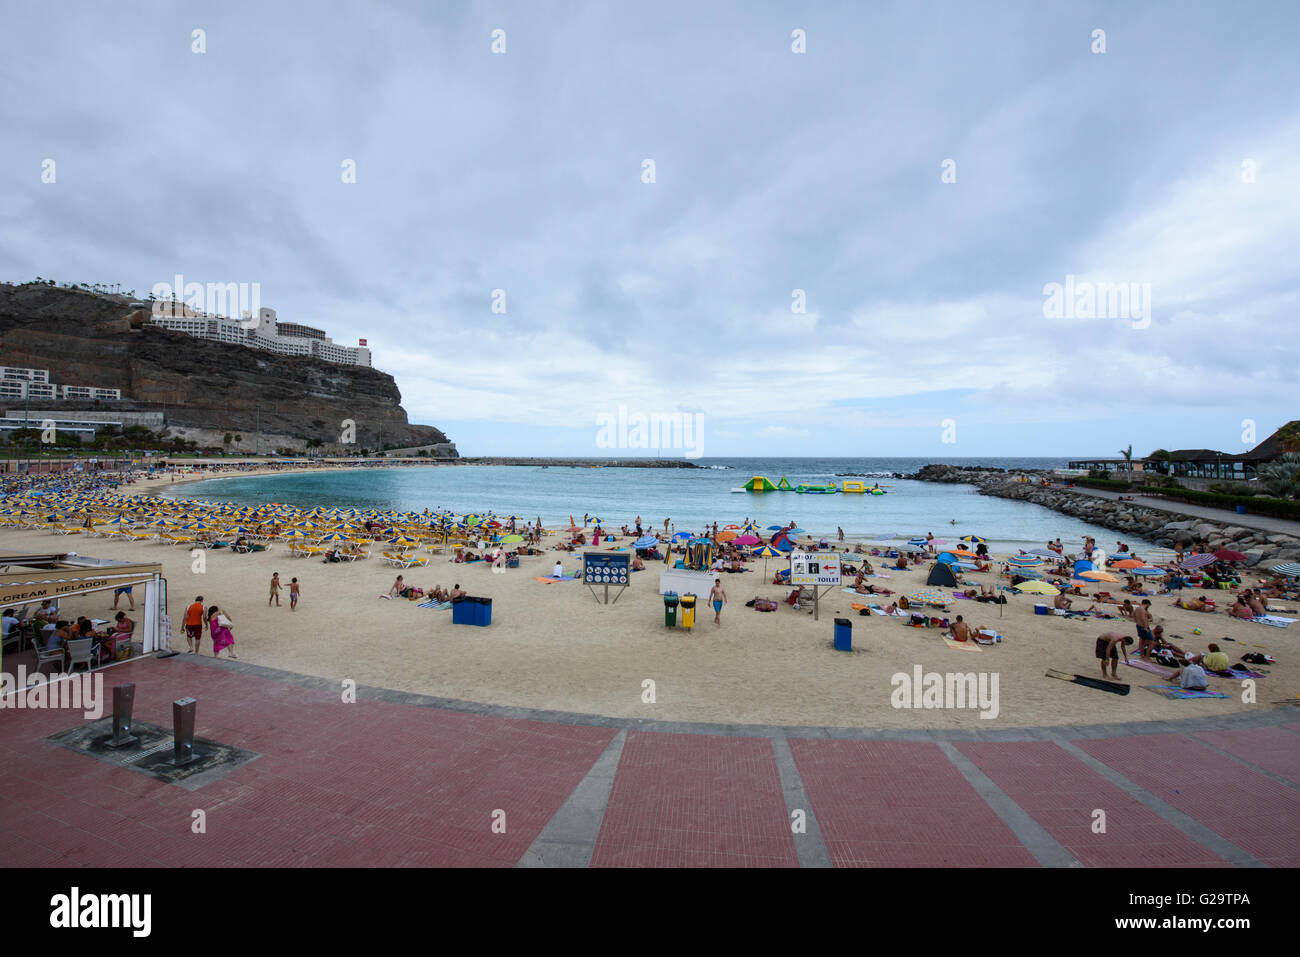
{"type": "Point", "coordinates": [690, 499]}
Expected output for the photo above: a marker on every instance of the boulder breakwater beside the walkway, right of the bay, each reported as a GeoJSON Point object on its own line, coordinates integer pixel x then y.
{"type": "Point", "coordinates": [1163, 527]}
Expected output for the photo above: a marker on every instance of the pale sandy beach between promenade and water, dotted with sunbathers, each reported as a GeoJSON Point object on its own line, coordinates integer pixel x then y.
{"type": "Point", "coordinates": [554, 647]}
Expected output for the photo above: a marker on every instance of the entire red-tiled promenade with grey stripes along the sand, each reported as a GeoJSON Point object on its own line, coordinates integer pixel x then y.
{"type": "Point", "coordinates": [404, 781]}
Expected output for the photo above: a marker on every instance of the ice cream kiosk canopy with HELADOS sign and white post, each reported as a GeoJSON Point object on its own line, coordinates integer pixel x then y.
{"type": "Point", "coordinates": [28, 581]}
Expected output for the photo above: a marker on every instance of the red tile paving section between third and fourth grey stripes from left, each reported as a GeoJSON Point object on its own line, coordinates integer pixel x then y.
{"type": "Point", "coordinates": [1061, 794]}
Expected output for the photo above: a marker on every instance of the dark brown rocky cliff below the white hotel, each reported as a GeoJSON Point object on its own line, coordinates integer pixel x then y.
{"type": "Point", "coordinates": [206, 389]}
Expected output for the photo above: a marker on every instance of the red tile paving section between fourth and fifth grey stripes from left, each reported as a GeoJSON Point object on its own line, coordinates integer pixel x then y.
{"type": "Point", "coordinates": [1256, 813]}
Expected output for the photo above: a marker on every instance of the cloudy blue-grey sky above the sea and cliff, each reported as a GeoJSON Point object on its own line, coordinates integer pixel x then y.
{"type": "Point", "coordinates": [839, 252]}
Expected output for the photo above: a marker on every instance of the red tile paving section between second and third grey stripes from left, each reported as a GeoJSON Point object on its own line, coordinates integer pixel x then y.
{"type": "Point", "coordinates": [902, 804]}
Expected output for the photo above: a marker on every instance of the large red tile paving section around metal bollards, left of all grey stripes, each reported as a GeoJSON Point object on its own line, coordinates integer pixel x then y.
{"type": "Point", "coordinates": [369, 783]}
